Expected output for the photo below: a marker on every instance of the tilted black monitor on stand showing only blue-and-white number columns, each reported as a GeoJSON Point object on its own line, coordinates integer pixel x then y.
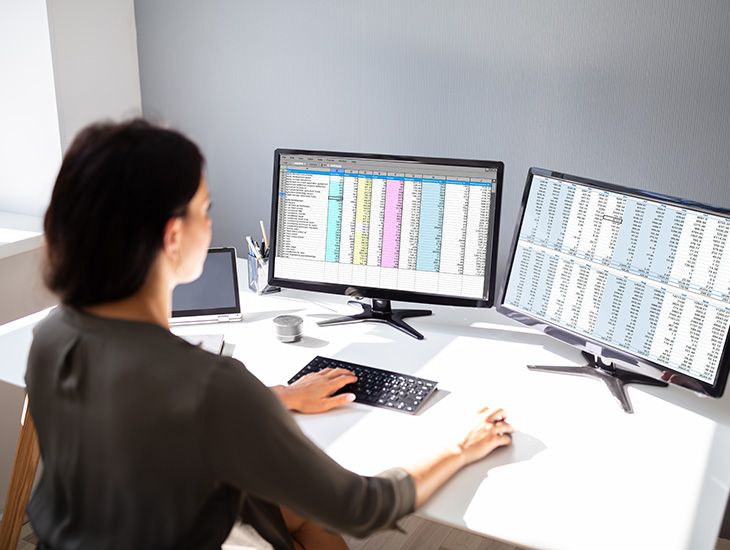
{"type": "Point", "coordinates": [626, 275]}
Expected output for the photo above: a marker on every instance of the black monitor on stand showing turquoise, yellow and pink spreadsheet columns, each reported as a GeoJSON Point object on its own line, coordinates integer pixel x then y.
{"type": "Point", "coordinates": [386, 227]}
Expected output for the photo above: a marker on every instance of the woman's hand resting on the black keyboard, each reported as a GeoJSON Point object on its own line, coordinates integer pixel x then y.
{"type": "Point", "coordinates": [313, 393]}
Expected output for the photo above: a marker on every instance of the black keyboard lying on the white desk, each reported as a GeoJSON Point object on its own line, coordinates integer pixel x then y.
{"type": "Point", "coordinates": [377, 387]}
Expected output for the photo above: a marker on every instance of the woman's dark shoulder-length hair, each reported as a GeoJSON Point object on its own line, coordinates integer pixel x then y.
{"type": "Point", "coordinates": [118, 186]}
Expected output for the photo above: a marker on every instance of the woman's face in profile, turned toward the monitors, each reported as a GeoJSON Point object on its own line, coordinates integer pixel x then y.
{"type": "Point", "coordinates": [196, 235]}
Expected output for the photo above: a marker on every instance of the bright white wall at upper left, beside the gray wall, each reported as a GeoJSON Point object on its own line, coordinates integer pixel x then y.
{"type": "Point", "coordinates": [63, 65]}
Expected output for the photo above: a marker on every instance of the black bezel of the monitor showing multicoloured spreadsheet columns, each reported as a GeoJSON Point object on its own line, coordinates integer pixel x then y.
{"type": "Point", "coordinates": [382, 293]}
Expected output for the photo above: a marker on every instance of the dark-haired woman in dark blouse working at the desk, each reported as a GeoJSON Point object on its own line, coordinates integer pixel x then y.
{"type": "Point", "coordinates": [149, 442]}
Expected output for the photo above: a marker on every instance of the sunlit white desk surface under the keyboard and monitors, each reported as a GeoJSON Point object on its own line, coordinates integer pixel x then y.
{"type": "Point", "coordinates": [580, 472]}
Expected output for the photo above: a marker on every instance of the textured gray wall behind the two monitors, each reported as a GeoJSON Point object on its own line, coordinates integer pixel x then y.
{"type": "Point", "coordinates": [635, 93]}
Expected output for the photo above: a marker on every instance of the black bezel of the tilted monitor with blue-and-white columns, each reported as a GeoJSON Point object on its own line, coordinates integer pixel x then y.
{"type": "Point", "coordinates": [598, 347]}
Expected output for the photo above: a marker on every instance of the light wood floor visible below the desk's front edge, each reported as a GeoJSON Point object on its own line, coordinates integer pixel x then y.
{"type": "Point", "coordinates": [420, 534]}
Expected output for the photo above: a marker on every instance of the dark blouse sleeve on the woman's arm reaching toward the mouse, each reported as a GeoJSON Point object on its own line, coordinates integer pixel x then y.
{"type": "Point", "coordinates": [253, 443]}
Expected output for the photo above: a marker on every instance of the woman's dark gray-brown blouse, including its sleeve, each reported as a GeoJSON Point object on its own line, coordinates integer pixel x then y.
{"type": "Point", "coordinates": [150, 442]}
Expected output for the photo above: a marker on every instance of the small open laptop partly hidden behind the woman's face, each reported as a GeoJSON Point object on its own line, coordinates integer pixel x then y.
{"type": "Point", "coordinates": [213, 297]}
